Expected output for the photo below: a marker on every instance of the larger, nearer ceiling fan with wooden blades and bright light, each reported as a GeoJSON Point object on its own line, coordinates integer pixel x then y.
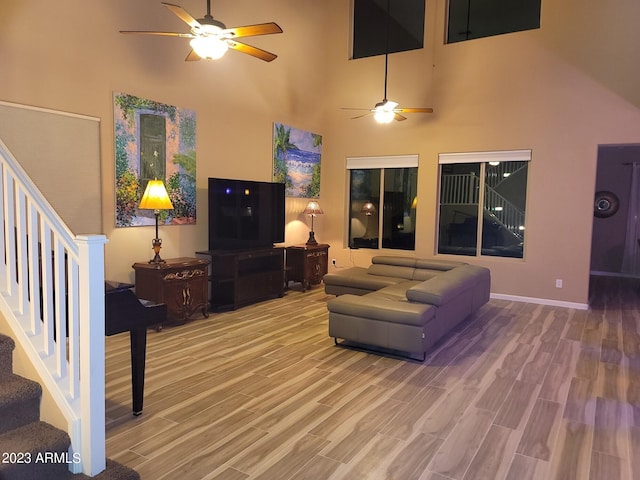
{"type": "Point", "coordinates": [210, 38]}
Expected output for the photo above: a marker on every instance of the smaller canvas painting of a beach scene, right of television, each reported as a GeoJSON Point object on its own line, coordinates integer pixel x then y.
{"type": "Point", "coordinates": [296, 160]}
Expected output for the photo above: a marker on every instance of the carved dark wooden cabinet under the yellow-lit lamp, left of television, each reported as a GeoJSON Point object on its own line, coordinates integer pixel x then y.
{"type": "Point", "coordinates": [180, 283]}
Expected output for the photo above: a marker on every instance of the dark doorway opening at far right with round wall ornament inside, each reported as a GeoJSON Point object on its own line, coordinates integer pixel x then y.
{"type": "Point", "coordinates": [615, 248]}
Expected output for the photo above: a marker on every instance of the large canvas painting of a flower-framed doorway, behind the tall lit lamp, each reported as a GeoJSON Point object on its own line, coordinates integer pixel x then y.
{"type": "Point", "coordinates": [154, 140]}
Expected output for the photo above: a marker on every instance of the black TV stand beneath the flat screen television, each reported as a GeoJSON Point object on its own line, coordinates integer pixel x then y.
{"type": "Point", "coordinates": [243, 277]}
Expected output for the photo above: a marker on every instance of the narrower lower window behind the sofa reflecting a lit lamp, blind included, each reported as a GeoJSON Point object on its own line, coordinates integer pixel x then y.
{"type": "Point", "coordinates": [382, 202]}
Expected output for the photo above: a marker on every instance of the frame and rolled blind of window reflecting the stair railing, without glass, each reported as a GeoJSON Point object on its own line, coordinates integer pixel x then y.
{"type": "Point", "coordinates": [482, 158]}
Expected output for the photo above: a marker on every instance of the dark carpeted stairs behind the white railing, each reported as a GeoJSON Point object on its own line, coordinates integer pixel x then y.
{"type": "Point", "coordinates": [32, 449]}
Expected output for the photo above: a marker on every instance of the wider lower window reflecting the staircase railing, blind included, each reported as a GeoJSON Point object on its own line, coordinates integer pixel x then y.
{"type": "Point", "coordinates": [491, 186]}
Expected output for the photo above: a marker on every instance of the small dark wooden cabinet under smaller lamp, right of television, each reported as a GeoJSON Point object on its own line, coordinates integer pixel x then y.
{"type": "Point", "coordinates": [307, 264]}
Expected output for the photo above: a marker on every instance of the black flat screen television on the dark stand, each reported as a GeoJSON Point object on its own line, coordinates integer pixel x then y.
{"type": "Point", "coordinates": [245, 214]}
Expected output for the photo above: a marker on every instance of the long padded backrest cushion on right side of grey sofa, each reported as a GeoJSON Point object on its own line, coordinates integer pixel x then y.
{"type": "Point", "coordinates": [443, 288]}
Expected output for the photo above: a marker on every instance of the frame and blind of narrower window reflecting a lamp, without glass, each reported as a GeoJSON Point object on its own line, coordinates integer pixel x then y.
{"type": "Point", "coordinates": [380, 163]}
